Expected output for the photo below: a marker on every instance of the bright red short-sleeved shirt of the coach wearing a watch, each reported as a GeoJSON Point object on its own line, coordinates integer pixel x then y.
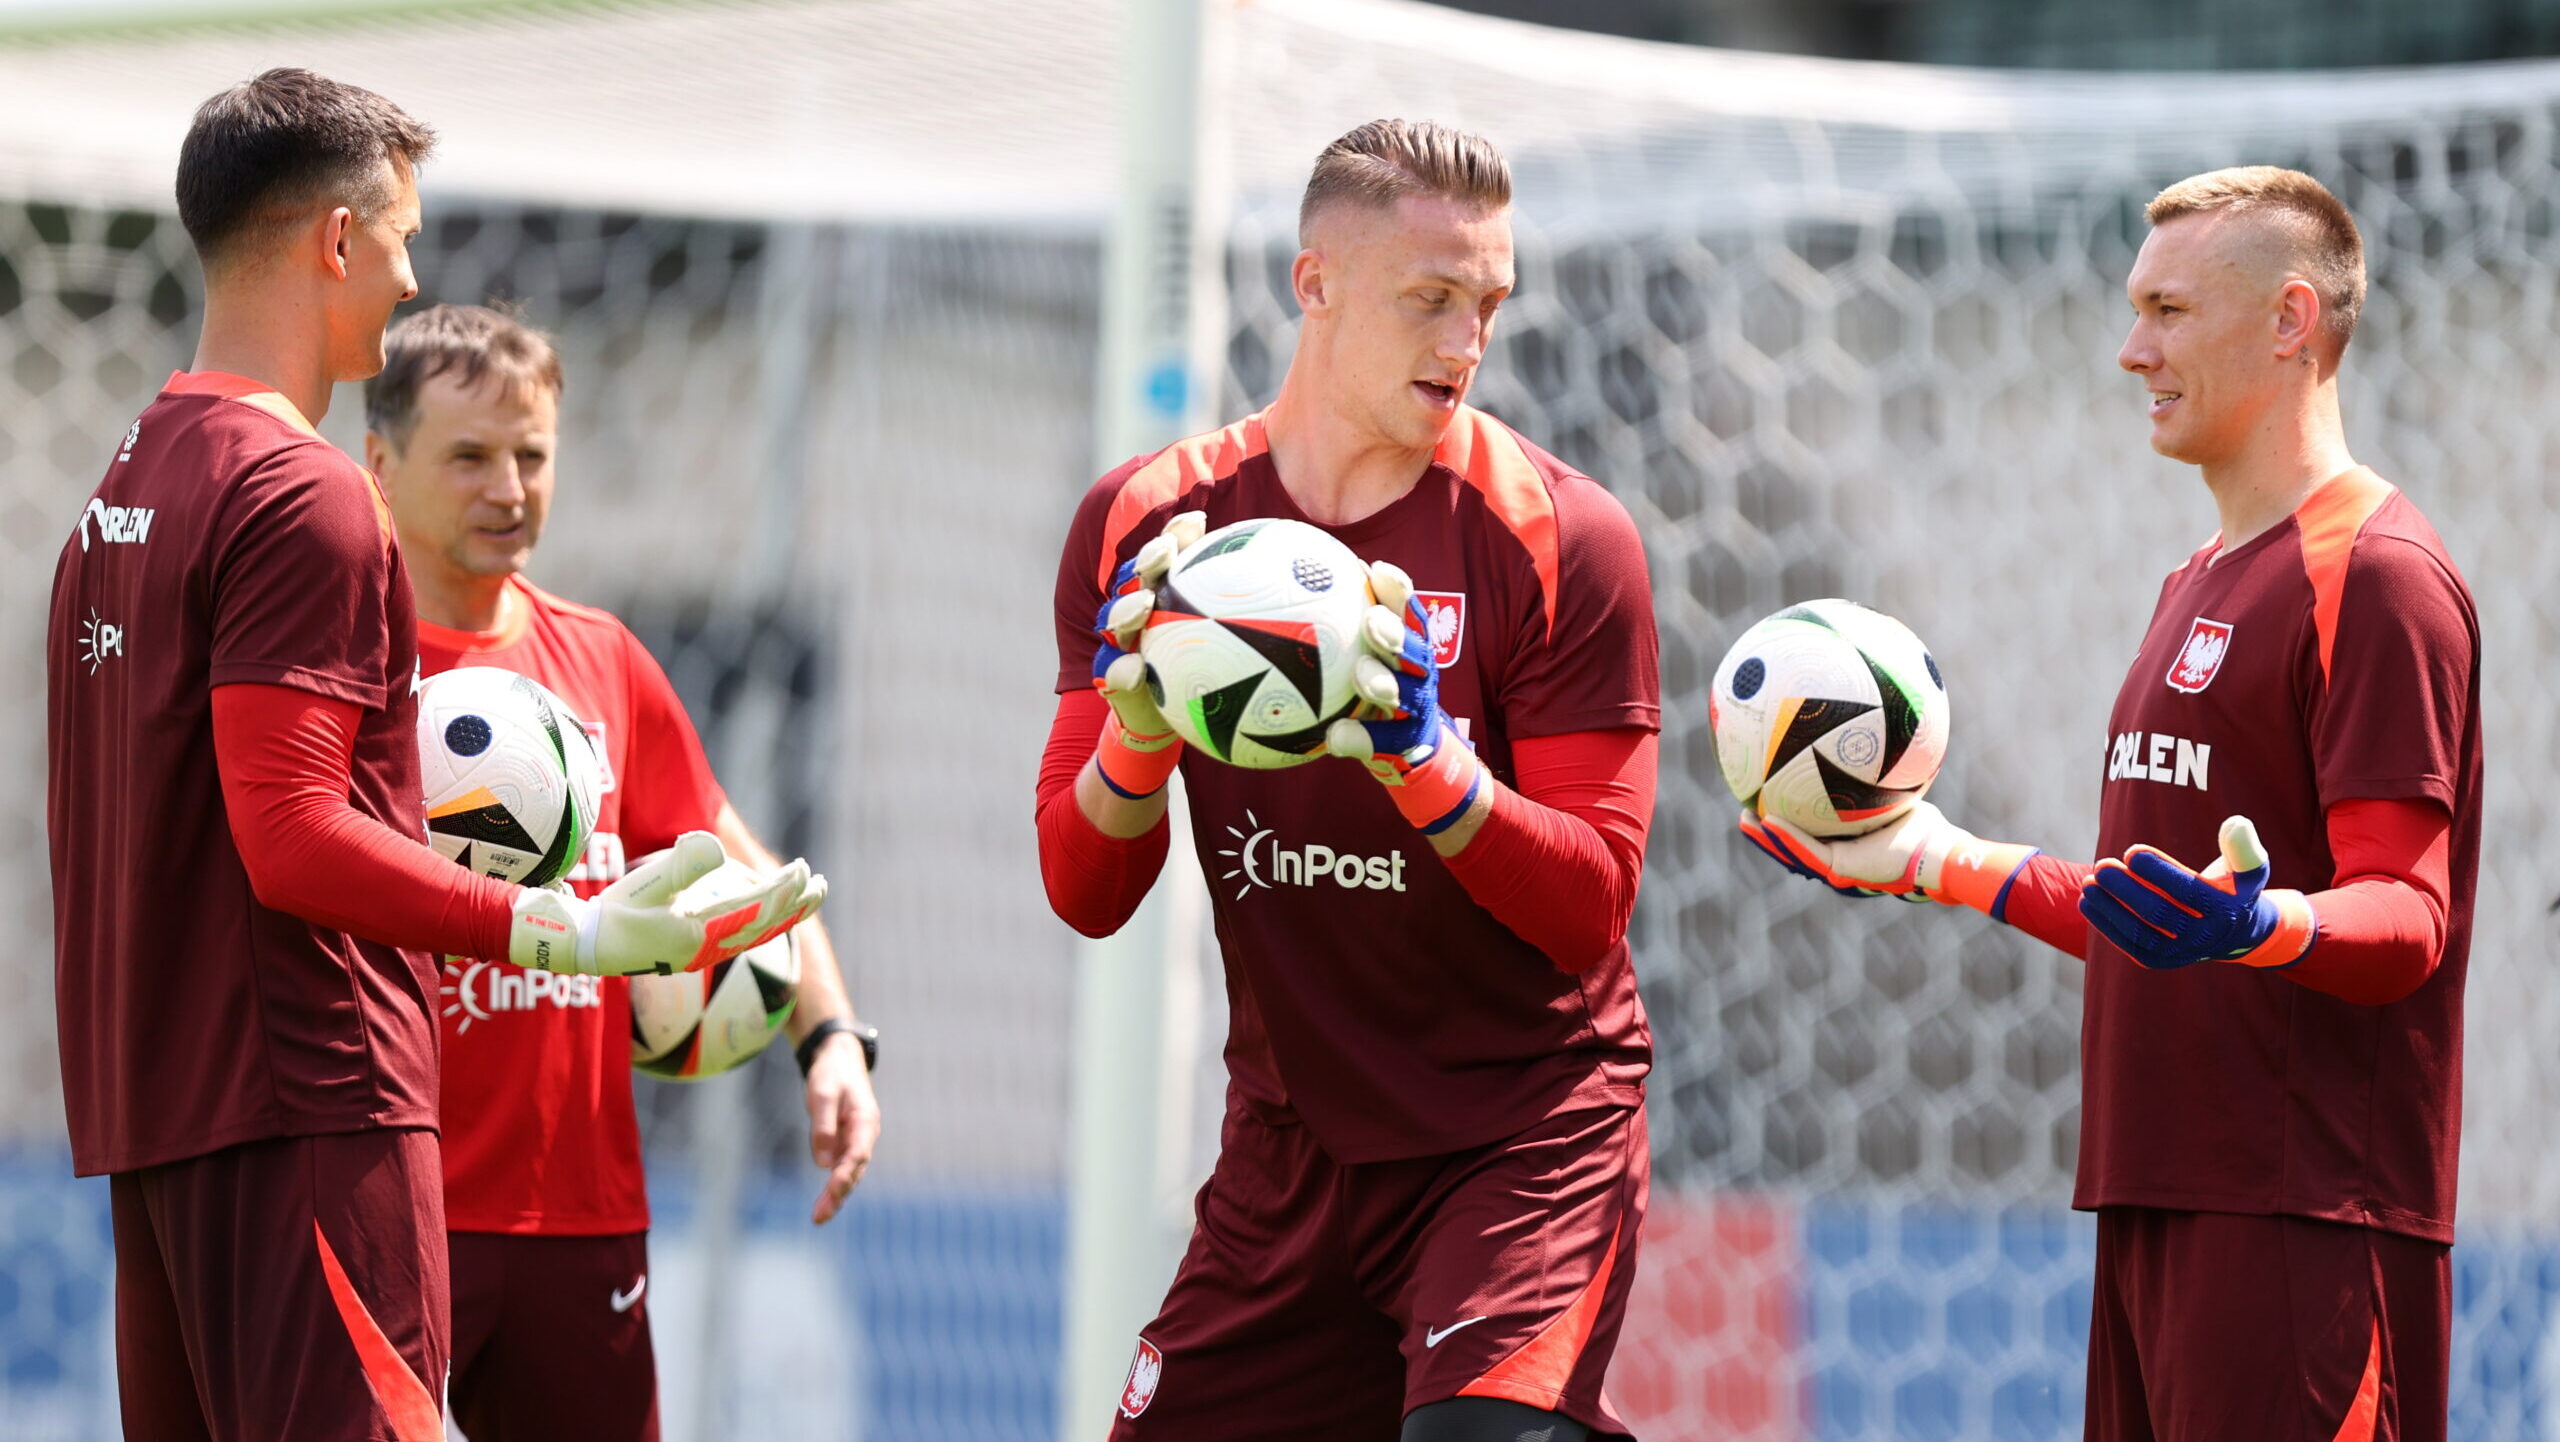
{"type": "Point", "coordinates": [539, 1069]}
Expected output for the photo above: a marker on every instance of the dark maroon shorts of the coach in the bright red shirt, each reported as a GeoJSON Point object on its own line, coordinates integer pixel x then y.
{"type": "Point", "coordinates": [552, 1338]}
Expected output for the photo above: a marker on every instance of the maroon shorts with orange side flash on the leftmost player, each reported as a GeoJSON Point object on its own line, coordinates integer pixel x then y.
{"type": "Point", "coordinates": [285, 1292]}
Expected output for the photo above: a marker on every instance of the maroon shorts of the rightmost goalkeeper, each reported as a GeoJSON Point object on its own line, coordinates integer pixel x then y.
{"type": "Point", "coordinates": [2213, 1328]}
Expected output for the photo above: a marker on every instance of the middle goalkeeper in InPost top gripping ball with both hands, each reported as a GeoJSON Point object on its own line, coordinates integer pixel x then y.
{"type": "Point", "coordinates": [1432, 1172]}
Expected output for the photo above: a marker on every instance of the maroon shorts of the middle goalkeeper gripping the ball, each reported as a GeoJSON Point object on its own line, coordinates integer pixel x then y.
{"type": "Point", "coordinates": [1325, 1300]}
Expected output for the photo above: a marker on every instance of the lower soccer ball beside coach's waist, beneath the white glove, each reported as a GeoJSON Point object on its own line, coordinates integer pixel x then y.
{"type": "Point", "coordinates": [710, 1021]}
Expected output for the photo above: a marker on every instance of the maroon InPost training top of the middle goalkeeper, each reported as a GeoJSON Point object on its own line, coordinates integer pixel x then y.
{"type": "Point", "coordinates": [1368, 995]}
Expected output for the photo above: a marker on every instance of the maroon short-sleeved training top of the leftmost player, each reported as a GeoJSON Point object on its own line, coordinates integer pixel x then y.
{"type": "Point", "coordinates": [229, 544]}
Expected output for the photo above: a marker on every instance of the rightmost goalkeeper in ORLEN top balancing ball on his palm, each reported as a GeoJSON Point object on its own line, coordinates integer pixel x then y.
{"type": "Point", "coordinates": [2269, 1077]}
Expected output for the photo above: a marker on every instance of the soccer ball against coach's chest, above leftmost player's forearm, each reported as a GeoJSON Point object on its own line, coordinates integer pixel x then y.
{"type": "Point", "coordinates": [511, 775]}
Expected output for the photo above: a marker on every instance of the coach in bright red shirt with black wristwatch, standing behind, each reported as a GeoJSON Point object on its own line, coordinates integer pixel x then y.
{"type": "Point", "coordinates": [544, 1192]}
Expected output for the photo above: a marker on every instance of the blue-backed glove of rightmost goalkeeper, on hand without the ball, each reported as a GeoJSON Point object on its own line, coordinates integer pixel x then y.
{"type": "Point", "coordinates": [2167, 916]}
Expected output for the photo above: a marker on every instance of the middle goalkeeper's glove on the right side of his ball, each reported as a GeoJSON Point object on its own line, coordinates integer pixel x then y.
{"type": "Point", "coordinates": [1402, 734]}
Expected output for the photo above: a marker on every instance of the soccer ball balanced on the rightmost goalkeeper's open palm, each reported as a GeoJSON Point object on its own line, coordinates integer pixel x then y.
{"type": "Point", "coordinates": [1832, 718]}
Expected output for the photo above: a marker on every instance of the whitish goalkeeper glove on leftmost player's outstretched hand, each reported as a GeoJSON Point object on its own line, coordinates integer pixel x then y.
{"type": "Point", "coordinates": [646, 926]}
